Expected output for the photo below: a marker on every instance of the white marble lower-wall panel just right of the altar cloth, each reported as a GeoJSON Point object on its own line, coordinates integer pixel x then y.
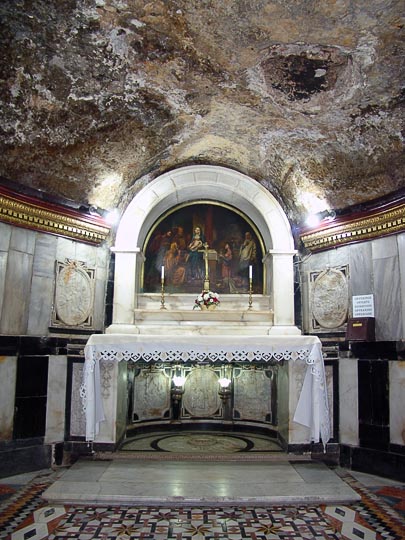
{"type": "Point", "coordinates": [348, 402]}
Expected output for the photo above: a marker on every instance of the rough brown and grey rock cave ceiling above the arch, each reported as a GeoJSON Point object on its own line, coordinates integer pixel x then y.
{"type": "Point", "coordinates": [99, 97]}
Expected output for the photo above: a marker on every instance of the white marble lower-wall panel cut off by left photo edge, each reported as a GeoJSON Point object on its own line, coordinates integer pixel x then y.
{"type": "Point", "coordinates": [8, 376]}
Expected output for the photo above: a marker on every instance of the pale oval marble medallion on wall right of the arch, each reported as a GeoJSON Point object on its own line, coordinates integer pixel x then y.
{"type": "Point", "coordinates": [330, 298]}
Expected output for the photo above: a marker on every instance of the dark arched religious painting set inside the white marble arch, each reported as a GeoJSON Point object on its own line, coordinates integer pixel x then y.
{"type": "Point", "coordinates": [200, 239]}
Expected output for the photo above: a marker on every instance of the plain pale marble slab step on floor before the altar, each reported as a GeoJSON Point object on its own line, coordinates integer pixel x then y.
{"type": "Point", "coordinates": [131, 482]}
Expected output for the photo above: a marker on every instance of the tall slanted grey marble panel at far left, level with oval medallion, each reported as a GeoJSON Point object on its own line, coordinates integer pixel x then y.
{"type": "Point", "coordinates": [14, 316]}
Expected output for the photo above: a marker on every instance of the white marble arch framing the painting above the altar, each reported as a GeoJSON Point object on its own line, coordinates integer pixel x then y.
{"type": "Point", "coordinates": [207, 182]}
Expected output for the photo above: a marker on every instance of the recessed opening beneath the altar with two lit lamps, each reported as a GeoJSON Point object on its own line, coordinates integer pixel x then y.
{"type": "Point", "coordinates": [238, 399]}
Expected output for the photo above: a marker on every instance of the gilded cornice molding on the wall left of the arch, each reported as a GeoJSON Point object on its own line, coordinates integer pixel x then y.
{"type": "Point", "coordinates": [37, 215]}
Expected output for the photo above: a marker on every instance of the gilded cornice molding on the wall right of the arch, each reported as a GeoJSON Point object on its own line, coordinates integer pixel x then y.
{"type": "Point", "coordinates": [383, 221]}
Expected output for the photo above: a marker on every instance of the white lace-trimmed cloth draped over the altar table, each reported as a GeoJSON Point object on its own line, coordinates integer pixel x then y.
{"type": "Point", "coordinates": [312, 408]}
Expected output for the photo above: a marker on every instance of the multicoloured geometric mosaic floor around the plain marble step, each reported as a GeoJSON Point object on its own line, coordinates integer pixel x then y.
{"type": "Point", "coordinates": [379, 515]}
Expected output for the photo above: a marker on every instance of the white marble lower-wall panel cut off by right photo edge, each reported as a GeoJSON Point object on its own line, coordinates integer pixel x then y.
{"type": "Point", "coordinates": [397, 401]}
